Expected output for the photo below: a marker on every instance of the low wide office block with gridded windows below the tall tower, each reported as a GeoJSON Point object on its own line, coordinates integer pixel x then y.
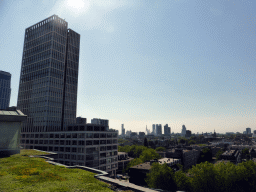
{"type": "Point", "coordinates": [86, 145]}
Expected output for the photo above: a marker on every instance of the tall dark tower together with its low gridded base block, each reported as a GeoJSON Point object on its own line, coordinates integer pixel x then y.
{"type": "Point", "coordinates": [48, 96]}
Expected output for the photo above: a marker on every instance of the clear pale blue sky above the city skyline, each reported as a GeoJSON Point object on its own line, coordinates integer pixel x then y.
{"type": "Point", "coordinates": [179, 62]}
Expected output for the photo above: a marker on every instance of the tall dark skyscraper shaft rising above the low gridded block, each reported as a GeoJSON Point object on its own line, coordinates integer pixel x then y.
{"type": "Point", "coordinates": [49, 76]}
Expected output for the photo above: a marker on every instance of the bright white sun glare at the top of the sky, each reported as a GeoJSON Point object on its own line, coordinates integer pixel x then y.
{"type": "Point", "coordinates": [78, 5]}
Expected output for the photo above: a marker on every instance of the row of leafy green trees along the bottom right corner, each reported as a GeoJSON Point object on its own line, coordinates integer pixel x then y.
{"type": "Point", "coordinates": [205, 177]}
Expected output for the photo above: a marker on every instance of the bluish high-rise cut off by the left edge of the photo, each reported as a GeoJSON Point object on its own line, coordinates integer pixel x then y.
{"type": "Point", "coordinates": [5, 89]}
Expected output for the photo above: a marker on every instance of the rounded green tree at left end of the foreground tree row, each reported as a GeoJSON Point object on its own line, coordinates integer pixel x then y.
{"type": "Point", "coordinates": [161, 177]}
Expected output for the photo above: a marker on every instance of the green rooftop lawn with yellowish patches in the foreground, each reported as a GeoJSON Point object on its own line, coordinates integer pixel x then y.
{"type": "Point", "coordinates": [22, 173]}
